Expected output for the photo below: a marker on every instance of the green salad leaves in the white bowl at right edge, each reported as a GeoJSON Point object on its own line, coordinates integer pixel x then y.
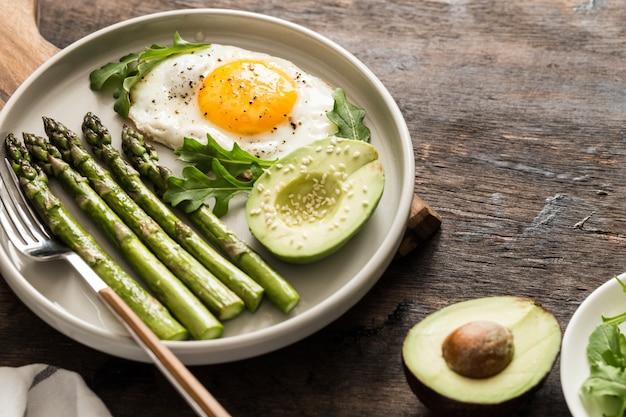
{"type": "Point", "coordinates": [606, 352]}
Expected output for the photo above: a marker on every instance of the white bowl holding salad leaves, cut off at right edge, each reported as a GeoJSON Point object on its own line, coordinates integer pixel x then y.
{"type": "Point", "coordinates": [608, 300]}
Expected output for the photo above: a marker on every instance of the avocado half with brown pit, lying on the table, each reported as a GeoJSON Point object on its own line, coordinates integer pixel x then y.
{"type": "Point", "coordinates": [534, 346]}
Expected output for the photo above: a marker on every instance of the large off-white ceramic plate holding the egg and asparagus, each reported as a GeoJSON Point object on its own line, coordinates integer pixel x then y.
{"type": "Point", "coordinates": [60, 89]}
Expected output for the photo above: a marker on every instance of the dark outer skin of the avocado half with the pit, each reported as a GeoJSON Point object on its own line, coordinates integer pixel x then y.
{"type": "Point", "coordinates": [448, 407]}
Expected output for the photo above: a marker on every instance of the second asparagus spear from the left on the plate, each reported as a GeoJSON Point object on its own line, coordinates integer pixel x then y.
{"type": "Point", "coordinates": [166, 287]}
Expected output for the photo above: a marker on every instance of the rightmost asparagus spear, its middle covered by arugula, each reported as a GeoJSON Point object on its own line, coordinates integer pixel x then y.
{"type": "Point", "coordinates": [145, 159]}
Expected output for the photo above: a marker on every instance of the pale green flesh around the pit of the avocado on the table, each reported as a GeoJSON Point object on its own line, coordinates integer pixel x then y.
{"type": "Point", "coordinates": [536, 339]}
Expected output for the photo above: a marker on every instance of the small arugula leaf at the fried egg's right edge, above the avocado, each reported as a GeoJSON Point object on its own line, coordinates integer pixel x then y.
{"type": "Point", "coordinates": [348, 118]}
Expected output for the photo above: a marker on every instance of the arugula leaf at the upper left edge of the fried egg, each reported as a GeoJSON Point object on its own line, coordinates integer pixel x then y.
{"type": "Point", "coordinates": [125, 73]}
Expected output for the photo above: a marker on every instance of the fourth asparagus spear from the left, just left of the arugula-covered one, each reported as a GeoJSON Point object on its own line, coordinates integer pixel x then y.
{"type": "Point", "coordinates": [98, 136]}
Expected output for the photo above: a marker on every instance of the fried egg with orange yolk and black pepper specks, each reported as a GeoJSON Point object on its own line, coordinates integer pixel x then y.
{"type": "Point", "coordinates": [265, 104]}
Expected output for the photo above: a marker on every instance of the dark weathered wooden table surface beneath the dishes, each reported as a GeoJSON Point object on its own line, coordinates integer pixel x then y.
{"type": "Point", "coordinates": [516, 111]}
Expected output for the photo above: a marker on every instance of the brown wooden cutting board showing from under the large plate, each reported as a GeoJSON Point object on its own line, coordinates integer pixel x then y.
{"type": "Point", "coordinates": [23, 50]}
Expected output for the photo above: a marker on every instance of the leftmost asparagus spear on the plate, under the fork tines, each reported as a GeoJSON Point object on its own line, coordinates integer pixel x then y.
{"type": "Point", "coordinates": [34, 183]}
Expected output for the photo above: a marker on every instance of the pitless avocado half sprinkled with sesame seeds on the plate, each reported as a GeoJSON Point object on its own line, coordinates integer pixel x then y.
{"type": "Point", "coordinates": [313, 200]}
